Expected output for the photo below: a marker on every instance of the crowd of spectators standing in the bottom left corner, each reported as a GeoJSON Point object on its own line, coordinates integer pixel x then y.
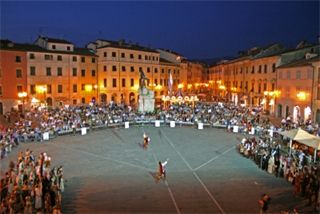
{"type": "Point", "coordinates": [31, 185]}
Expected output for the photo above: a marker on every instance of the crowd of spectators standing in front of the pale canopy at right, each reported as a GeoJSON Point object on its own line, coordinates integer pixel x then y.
{"type": "Point", "coordinates": [298, 168]}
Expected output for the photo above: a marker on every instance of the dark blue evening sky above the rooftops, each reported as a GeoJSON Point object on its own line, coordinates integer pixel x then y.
{"type": "Point", "coordinates": [195, 29]}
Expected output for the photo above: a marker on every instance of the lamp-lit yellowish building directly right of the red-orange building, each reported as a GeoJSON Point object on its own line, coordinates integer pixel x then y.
{"type": "Point", "coordinates": [59, 73]}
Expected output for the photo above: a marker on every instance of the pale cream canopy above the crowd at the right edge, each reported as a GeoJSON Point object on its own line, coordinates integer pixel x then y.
{"type": "Point", "coordinates": [303, 137]}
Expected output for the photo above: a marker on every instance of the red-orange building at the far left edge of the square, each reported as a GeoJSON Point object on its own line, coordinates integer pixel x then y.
{"type": "Point", "coordinates": [13, 76]}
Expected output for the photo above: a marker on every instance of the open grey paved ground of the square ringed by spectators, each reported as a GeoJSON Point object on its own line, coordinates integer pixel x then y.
{"type": "Point", "coordinates": [107, 171]}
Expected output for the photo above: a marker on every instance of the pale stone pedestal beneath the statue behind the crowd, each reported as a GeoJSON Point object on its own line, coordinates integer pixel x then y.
{"type": "Point", "coordinates": [146, 100]}
